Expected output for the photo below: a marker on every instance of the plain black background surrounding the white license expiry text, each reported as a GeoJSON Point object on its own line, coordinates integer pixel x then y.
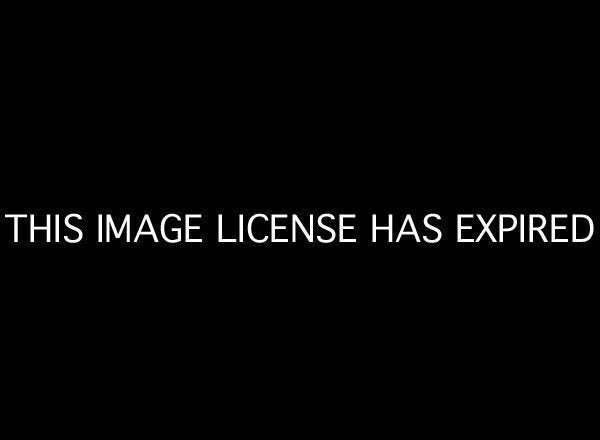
{"type": "Point", "coordinates": [368, 113]}
